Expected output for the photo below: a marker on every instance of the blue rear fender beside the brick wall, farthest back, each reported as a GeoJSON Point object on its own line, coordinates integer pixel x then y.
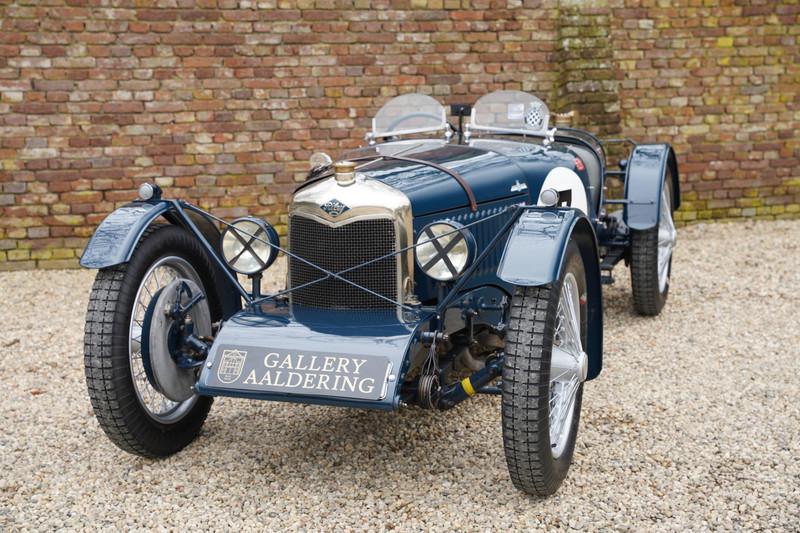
{"type": "Point", "coordinates": [644, 182]}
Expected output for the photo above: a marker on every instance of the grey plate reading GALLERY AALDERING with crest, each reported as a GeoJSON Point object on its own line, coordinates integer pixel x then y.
{"type": "Point", "coordinates": [305, 373]}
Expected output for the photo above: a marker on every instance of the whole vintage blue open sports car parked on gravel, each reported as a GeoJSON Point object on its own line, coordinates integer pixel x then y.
{"type": "Point", "coordinates": [437, 262]}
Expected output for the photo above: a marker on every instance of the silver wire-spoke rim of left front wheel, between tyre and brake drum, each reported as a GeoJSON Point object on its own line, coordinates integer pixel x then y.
{"type": "Point", "coordinates": [158, 406]}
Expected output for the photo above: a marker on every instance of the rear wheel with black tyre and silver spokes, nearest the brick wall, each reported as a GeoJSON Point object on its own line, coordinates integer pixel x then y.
{"type": "Point", "coordinates": [651, 258]}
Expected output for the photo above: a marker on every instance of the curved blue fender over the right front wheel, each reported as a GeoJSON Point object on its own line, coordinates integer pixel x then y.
{"type": "Point", "coordinates": [534, 256]}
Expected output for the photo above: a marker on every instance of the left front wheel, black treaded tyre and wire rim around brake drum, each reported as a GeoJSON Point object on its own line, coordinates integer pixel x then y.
{"type": "Point", "coordinates": [130, 409]}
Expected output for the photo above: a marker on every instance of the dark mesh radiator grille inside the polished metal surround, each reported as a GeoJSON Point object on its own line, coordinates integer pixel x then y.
{"type": "Point", "coordinates": [337, 248]}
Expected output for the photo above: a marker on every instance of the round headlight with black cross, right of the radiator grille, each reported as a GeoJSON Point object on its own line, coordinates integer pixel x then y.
{"type": "Point", "coordinates": [444, 250]}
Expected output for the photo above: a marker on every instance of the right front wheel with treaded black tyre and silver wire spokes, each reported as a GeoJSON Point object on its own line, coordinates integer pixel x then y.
{"type": "Point", "coordinates": [543, 372]}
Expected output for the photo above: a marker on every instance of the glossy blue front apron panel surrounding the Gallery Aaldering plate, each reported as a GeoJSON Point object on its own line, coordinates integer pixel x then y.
{"type": "Point", "coordinates": [313, 330]}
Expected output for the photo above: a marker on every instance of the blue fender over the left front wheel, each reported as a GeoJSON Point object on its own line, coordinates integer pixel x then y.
{"type": "Point", "coordinates": [116, 237]}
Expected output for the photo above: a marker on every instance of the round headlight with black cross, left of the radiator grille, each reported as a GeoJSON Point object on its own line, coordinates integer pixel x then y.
{"type": "Point", "coordinates": [243, 245]}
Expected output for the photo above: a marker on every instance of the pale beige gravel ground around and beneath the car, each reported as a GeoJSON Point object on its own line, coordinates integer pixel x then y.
{"type": "Point", "coordinates": [693, 424]}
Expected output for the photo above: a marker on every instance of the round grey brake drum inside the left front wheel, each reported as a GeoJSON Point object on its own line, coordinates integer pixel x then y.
{"type": "Point", "coordinates": [160, 331]}
